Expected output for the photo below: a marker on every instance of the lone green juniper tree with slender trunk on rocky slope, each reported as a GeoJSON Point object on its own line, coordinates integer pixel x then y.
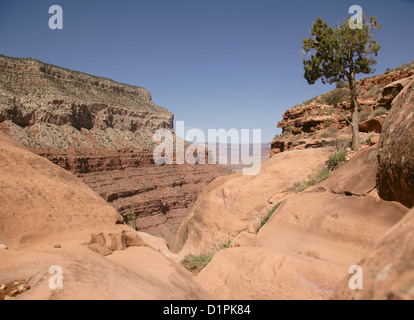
{"type": "Point", "coordinates": [339, 53]}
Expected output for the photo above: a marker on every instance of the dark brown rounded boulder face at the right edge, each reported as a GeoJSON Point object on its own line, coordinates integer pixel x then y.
{"type": "Point", "coordinates": [396, 150]}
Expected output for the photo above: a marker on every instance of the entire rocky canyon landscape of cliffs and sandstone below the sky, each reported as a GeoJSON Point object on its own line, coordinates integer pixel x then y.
{"type": "Point", "coordinates": [76, 163]}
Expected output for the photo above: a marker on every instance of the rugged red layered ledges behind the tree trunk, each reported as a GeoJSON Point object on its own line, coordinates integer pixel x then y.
{"type": "Point", "coordinates": [316, 122]}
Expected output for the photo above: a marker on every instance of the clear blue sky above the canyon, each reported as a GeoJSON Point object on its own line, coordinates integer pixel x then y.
{"type": "Point", "coordinates": [213, 63]}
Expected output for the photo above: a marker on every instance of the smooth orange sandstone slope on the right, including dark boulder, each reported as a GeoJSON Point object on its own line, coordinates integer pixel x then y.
{"type": "Point", "coordinates": [358, 216]}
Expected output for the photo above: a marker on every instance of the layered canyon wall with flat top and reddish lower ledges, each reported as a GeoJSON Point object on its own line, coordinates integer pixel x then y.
{"type": "Point", "coordinates": [102, 131]}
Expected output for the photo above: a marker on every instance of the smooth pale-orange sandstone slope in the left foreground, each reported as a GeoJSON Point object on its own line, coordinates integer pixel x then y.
{"type": "Point", "coordinates": [50, 217]}
